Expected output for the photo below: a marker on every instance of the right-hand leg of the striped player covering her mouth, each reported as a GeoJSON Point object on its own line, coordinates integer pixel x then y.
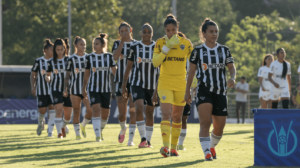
{"type": "Point", "coordinates": [132, 122]}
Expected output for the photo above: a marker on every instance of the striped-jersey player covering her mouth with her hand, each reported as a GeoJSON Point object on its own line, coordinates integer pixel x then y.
{"type": "Point", "coordinates": [120, 51]}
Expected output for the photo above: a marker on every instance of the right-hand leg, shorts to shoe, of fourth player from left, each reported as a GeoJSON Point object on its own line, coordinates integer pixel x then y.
{"type": "Point", "coordinates": [105, 110]}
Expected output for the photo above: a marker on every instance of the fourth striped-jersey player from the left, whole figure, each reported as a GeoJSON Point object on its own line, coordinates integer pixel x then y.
{"type": "Point", "coordinates": [96, 81]}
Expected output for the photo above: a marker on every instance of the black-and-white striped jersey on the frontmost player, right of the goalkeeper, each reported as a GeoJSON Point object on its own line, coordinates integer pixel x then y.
{"type": "Point", "coordinates": [211, 63]}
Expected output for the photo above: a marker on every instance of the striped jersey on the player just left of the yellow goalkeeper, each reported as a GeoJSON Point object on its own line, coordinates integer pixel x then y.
{"type": "Point", "coordinates": [144, 74]}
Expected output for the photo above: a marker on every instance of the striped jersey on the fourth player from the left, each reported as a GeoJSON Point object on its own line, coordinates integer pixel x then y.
{"type": "Point", "coordinates": [99, 66]}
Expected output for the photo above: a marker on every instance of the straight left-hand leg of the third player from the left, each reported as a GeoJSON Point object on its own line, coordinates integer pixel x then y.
{"type": "Point", "coordinates": [76, 102]}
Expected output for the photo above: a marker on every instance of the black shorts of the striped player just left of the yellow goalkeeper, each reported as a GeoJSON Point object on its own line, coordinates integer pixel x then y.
{"type": "Point", "coordinates": [137, 92]}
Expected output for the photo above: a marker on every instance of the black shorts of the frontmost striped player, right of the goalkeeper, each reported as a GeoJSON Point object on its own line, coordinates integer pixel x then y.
{"type": "Point", "coordinates": [219, 102]}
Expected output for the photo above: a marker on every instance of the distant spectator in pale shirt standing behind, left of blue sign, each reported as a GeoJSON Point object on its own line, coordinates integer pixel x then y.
{"type": "Point", "coordinates": [241, 89]}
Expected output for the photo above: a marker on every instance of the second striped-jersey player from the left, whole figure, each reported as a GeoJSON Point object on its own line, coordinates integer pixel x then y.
{"type": "Point", "coordinates": [57, 66]}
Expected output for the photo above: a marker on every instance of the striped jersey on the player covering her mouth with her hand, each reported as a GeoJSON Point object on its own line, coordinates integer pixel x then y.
{"type": "Point", "coordinates": [122, 60]}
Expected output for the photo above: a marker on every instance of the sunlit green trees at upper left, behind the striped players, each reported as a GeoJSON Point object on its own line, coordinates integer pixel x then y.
{"type": "Point", "coordinates": [26, 25]}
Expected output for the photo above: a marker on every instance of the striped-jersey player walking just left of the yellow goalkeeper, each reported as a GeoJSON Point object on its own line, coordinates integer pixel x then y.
{"type": "Point", "coordinates": [143, 82]}
